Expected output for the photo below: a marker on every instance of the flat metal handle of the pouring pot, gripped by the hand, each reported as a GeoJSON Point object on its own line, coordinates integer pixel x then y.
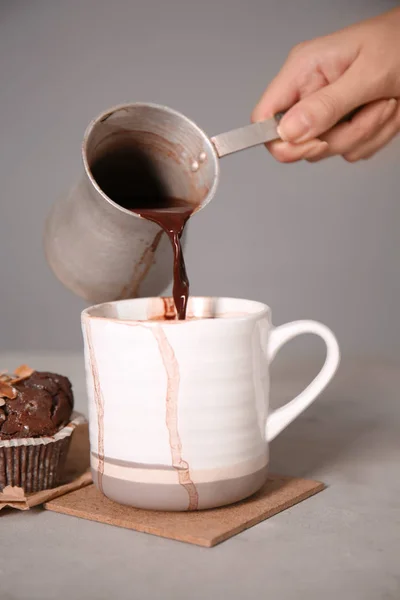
{"type": "Point", "coordinates": [255, 134]}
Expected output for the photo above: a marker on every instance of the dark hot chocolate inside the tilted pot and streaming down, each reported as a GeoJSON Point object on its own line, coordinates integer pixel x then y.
{"type": "Point", "coordinates": [130, 179]}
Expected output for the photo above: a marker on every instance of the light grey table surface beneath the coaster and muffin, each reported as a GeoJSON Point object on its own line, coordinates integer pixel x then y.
{"type": "Point", "coordinates": [344, 541]}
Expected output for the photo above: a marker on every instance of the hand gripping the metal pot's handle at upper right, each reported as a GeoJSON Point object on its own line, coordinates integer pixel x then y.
{"type": "Point", "coordinates": [324, 79]}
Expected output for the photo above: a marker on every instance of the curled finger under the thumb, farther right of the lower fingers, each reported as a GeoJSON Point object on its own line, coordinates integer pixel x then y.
{"type": "Point", "coordinates": [348, 137]}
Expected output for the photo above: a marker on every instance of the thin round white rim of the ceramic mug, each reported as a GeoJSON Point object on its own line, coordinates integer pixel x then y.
{"type": "Point", "coordinates": [264, 310]}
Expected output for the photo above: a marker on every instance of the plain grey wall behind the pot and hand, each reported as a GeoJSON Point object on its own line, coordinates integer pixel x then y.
{"type": "Point", "coordinates": [319, 241]}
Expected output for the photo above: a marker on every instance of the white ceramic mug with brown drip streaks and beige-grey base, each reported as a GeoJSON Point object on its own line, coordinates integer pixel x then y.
{"type": "Point", "coordinates": [178, 410]}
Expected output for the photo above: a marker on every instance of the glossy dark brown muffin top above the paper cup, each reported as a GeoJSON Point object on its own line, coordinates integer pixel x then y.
{"type": "Point", "coordinates": [42, 404]}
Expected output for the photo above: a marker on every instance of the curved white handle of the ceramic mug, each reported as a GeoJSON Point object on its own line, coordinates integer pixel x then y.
{"type": "Point", "coordinates": [281, 417]}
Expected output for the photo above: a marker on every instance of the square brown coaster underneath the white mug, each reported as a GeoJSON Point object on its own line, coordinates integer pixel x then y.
{"type": "Point", "coordinates": [204, 528]}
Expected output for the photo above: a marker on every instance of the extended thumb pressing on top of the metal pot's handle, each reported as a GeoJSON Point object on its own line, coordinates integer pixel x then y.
{"type": "Point", "coordinates": [317, 113]}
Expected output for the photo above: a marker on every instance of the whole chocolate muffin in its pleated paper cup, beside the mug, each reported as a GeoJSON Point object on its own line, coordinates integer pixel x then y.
{"type": "Point", "coordinates": [35, 428]}
